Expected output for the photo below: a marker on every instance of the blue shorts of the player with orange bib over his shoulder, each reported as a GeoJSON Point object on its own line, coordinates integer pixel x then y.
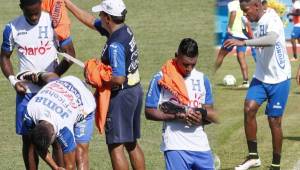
{"type": "Point", "coordinates": [186, 160]}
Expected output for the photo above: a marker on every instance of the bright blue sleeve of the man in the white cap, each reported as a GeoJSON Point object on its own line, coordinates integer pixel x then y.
{"type": "Point", "coordinates": [116, 55]}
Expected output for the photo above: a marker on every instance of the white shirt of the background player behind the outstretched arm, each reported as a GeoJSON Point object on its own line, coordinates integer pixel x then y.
{"type": "Point", "coordinates": [237, 27]}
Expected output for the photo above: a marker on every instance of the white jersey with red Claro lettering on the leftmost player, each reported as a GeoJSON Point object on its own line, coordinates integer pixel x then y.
{"type": "Point", "coordinates": [35, 44]}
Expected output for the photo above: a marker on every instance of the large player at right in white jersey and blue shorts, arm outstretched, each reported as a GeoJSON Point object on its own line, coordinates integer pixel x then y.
{"type": "Point", "coordinates": [271, 80]}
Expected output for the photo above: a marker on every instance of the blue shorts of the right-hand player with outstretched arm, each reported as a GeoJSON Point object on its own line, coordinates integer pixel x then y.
{"type": "Point", "coordinates": [275, 94]}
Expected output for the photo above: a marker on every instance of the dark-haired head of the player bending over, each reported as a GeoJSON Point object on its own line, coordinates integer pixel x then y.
{"type": "Point", "coordinates": [41, 136]}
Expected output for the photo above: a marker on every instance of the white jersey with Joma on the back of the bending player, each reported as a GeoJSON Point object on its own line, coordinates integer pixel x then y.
{"type": "Point", "coordinates": [62, 103]}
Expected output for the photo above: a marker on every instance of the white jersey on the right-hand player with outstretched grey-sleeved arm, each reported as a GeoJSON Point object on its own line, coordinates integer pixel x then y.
{"type": "Point", "coordinates": [272, 63]}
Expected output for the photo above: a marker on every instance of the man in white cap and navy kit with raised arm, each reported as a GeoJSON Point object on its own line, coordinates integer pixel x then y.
{"type": "Point", "coordinates": [121, 53]}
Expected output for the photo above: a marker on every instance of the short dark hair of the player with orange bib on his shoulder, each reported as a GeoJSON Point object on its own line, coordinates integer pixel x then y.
{"type": "Point", "coordinates": [188, 47]}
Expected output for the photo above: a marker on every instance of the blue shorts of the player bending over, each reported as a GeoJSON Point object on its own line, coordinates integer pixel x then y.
{"type": "Point", "coordinates": [83, 130]}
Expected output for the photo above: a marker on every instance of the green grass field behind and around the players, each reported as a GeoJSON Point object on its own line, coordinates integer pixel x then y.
{"type": "Point", "coordinates": [158, 27]}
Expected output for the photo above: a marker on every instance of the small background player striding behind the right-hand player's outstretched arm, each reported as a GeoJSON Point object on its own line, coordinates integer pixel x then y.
{"type": "Point", "coordinates": [235, 30]}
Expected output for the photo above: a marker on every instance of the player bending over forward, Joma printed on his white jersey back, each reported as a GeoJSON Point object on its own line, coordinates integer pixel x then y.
{"type": "Point", "coordinates": [63, 109]}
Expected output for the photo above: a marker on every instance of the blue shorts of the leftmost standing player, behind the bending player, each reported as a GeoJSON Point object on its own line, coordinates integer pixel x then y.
{"type": "Point", "coordinates": [21, 108]}
